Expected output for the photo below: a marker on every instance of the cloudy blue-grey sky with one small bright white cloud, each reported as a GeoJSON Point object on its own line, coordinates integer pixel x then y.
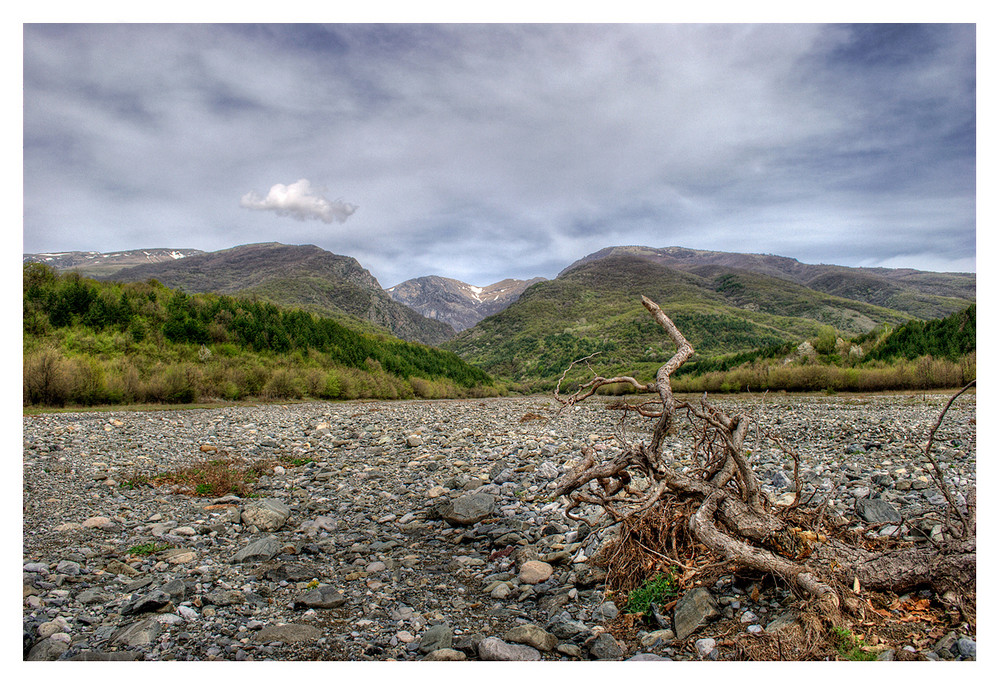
{"type": "Point", "coordinates": [481, 152]}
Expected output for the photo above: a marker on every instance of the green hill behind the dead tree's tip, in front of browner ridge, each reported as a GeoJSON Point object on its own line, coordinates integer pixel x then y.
{"type": "Point", "coordinates": [597, 307]}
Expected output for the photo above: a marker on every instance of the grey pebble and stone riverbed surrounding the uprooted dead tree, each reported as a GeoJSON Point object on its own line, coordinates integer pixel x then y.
{"type": "Point", "coordinates": [407, 530]}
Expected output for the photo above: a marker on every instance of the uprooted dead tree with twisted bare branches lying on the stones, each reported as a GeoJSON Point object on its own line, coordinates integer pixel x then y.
{"type": "Point", "coordinates": [731, 517]}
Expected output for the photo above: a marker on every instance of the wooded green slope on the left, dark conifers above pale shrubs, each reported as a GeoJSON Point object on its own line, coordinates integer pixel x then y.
{"type": "Point", "coordinates": [88, 343]}
